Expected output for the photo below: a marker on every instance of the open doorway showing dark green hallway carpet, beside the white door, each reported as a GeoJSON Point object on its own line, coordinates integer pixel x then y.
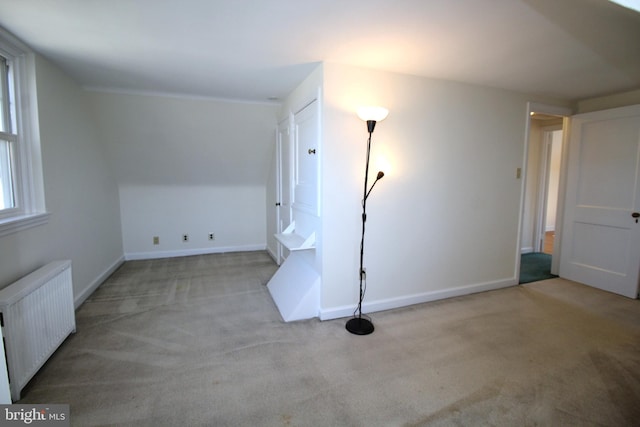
{"type": "Point", "coordinates": [542, 195]}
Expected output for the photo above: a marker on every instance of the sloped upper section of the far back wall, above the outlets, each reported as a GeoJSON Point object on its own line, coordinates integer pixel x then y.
{"type": "Point", "coordinates": [172, 141]}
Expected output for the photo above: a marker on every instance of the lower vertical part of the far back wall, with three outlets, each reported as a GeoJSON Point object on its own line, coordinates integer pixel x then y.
{"type": "Point", "coordinates": [235, 214]}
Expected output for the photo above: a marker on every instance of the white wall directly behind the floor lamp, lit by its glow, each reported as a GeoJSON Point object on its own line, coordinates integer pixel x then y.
{"type": "Point", "coordinates": [444, 220]}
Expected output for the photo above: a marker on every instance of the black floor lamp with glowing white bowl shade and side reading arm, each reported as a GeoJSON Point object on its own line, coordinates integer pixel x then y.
{"type": "Point", "coordinates": [359, 325]}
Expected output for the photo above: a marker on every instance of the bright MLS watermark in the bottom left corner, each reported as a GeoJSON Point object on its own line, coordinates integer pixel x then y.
{"type": "Point", "coordinates": [34, 415]}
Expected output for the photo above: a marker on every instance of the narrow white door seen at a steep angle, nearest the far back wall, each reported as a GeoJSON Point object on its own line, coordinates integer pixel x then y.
{"type": "Point", "coordinates": [284, 183]}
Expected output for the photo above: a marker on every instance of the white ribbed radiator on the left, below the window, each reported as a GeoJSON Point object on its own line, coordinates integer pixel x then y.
{"type": "Point", "coordinates": [37, 315]}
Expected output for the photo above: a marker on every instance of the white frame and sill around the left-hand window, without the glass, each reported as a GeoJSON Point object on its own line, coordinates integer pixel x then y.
{"type": "Point", "coordinates": [28, 183]}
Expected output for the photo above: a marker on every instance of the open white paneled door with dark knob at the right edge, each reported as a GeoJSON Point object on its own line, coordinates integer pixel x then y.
{"type": "Point", "coordinates": [601, 236]}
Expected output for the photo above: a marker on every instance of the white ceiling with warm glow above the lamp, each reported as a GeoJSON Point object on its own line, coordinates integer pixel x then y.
{"type": "Point", "coordinates": [257, 49]}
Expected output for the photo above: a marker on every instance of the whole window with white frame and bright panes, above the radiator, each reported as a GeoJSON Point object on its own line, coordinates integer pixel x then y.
{"type": "Point", "coordinates": [21, 185]}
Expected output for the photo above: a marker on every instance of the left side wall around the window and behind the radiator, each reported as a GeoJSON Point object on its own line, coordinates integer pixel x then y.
{"type": "Point", "coordinates": [80, 191]}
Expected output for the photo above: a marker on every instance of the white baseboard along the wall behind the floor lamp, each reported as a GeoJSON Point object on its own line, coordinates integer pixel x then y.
{"type": "Point", "coordinates": [404, 301]}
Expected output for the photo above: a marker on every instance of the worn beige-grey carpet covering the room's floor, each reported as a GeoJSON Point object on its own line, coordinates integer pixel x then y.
{"type": "Point", "coordinates": [198, 341]}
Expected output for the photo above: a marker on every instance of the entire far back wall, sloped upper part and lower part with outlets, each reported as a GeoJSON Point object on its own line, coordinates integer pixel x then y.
{"type": "Point", "coordinates": [188, 165]}
